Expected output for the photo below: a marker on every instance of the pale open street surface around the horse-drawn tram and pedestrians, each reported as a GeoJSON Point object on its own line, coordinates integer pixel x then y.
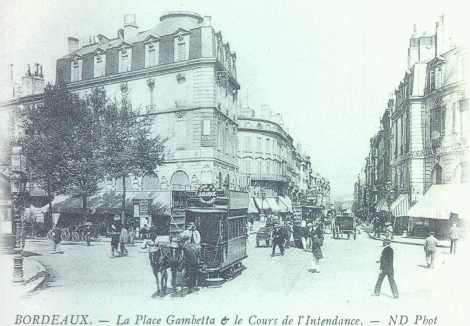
{"type": "Point", "coordinates": [85, 280]}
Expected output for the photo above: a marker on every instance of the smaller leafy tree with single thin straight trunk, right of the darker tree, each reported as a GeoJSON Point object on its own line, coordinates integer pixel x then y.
{"type": "Point", "coordinates": [128, 145]}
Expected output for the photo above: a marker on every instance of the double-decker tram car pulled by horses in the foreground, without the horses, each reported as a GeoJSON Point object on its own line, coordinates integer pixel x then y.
{"type": "Point", "coordinates": [220, 216]}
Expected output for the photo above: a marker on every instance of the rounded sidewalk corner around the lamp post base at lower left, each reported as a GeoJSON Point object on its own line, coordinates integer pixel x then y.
{"type": "Point", "coordinates": [34, 274]}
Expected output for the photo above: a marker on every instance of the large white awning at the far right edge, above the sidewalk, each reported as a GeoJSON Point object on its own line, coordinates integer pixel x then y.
{"type": "Point", "coordinates": [442, 200]}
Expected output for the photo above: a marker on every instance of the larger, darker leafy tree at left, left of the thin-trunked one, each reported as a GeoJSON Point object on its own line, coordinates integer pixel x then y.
{"type": "Point", "coordinates": [61, 139]}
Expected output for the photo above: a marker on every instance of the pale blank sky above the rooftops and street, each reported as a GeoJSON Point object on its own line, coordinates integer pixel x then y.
{"type": "Point", "coordinates": [328, 67]}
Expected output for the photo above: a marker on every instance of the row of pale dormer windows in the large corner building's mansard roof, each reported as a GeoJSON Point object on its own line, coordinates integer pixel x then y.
{"type": "Point", "coordinates": [151, 57]}
